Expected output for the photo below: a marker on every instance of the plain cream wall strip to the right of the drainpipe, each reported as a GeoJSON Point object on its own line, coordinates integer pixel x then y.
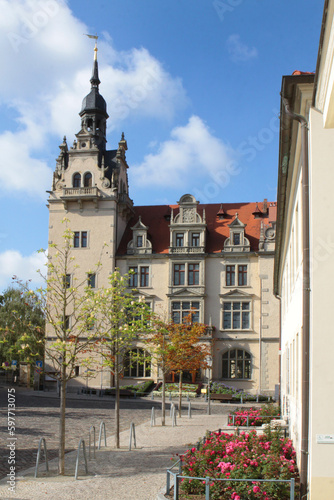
{"type": "Point", "coordinates": [322, 342]}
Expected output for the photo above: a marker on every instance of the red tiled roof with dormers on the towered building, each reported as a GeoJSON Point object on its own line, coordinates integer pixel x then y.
{"type": "Point", "coordinates": [157, 218]}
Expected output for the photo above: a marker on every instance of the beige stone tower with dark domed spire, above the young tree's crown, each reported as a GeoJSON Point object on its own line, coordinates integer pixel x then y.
{"type": "Point", "coordinates": [90, 188]}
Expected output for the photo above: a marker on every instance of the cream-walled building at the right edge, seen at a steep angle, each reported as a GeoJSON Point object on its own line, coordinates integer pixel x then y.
{"type": "Point", "coordinates": [306, 378]}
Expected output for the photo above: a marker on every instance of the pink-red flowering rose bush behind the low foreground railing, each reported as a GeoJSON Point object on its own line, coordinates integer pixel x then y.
{"type": "Point", "coordinates": [247, 455]}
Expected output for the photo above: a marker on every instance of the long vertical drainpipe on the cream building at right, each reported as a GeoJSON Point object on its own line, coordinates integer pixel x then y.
{"type": "Point", "coordinates": [306, 301]}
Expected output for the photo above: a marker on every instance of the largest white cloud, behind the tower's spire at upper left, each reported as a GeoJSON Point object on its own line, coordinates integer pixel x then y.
{"type": "Point", "coordinates": [46, 75]}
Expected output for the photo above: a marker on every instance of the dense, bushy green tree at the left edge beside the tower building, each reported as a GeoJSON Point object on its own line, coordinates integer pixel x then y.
{"type": "Point", "coordinates": [22, 326]}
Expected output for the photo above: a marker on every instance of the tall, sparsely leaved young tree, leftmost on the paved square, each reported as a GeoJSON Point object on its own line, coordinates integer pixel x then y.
{"type": "Point", "coordinates": [69, 338]}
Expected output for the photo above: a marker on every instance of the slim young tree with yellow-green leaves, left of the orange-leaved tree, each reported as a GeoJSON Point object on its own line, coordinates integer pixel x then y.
{"type": "Point", "coordinates": [119, 317]}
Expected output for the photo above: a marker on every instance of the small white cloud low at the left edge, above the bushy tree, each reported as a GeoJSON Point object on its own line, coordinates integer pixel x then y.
{"type": "Point", "coordinates": [13, 263]}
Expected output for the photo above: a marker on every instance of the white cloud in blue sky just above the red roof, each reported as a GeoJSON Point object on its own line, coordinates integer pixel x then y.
{"type": "Point", "coordinates": [191, 151]}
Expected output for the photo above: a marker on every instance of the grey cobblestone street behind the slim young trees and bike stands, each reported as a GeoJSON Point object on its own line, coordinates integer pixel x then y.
{"type": "Point", "coordinates": [37, 415]}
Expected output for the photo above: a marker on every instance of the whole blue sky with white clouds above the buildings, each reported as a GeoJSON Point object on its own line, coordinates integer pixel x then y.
{"type": "Point", "coordinates": [193, 84]}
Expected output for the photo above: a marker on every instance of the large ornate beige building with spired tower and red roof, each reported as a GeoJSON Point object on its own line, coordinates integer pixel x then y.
{"type": "Point", "coordinates": [214, 260]}
